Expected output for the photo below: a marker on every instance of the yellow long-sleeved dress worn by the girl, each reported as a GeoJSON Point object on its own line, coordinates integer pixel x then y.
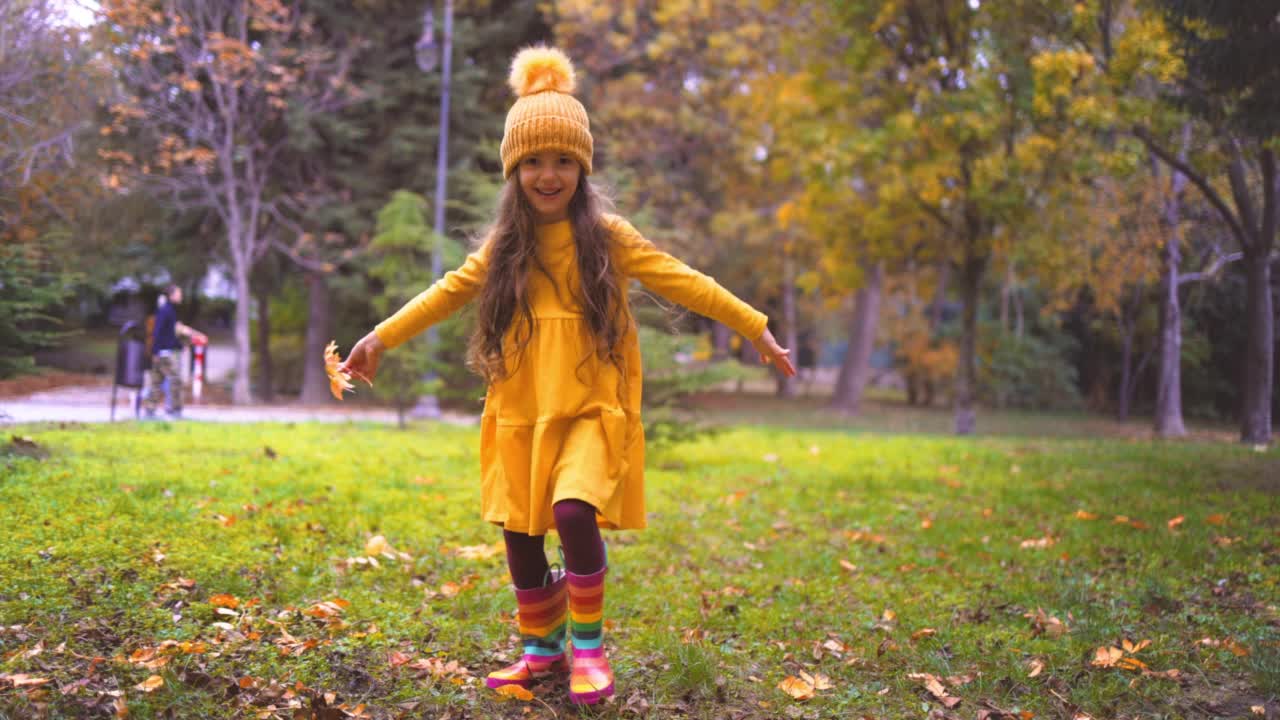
{"type": "Point", "coordinates": [563, 426]}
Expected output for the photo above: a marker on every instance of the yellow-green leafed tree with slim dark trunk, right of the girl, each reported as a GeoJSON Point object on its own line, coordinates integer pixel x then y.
{"type": "Point", "coordinates": [979, 136]}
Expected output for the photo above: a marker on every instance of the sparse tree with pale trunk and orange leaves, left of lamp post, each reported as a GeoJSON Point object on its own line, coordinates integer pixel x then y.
{"type": "Point", "coordinates": [208, 90]}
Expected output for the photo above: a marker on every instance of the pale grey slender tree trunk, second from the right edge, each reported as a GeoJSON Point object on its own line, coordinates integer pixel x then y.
{"type": "Point", "coordinates": [1169, 390]}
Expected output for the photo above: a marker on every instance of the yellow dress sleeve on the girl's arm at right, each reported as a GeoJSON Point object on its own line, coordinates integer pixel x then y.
{"type": "Point", "coordinates": [662, 274]}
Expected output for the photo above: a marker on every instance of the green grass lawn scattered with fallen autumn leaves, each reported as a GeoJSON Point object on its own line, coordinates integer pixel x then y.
{"type": "Point", "coordinates": [771, 552]}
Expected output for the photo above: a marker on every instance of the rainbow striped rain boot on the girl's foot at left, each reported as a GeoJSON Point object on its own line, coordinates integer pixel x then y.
{"type": "Point", "coordinates": [541, 616]}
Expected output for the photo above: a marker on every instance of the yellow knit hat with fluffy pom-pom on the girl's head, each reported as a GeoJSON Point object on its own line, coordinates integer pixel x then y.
{"type": "Point", "coordinates": [546, 115]}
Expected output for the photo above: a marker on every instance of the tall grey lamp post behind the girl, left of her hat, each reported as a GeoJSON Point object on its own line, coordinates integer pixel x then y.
{"type": "Point", "coordinates": [426, 54]}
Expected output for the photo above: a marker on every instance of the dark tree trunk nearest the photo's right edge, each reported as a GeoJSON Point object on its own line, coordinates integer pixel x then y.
{"type": "Point", "coordinates": [1260, 347]}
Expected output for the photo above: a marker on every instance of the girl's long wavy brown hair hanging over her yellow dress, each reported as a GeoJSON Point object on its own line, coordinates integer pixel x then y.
{"type": "Point", "coordinates": [504, 303]}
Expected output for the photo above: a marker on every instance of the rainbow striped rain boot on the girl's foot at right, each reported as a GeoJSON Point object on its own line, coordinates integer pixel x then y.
{"type": "Point", "coordinates": [591, 680]}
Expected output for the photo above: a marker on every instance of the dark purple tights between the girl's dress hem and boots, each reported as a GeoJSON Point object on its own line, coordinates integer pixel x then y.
{"type": "Point", "coordinates": [580, 537]}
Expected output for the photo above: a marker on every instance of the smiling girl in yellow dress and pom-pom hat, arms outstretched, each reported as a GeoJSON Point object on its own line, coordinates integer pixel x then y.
{"type": "Point", "coordinates": [561, 443]}
